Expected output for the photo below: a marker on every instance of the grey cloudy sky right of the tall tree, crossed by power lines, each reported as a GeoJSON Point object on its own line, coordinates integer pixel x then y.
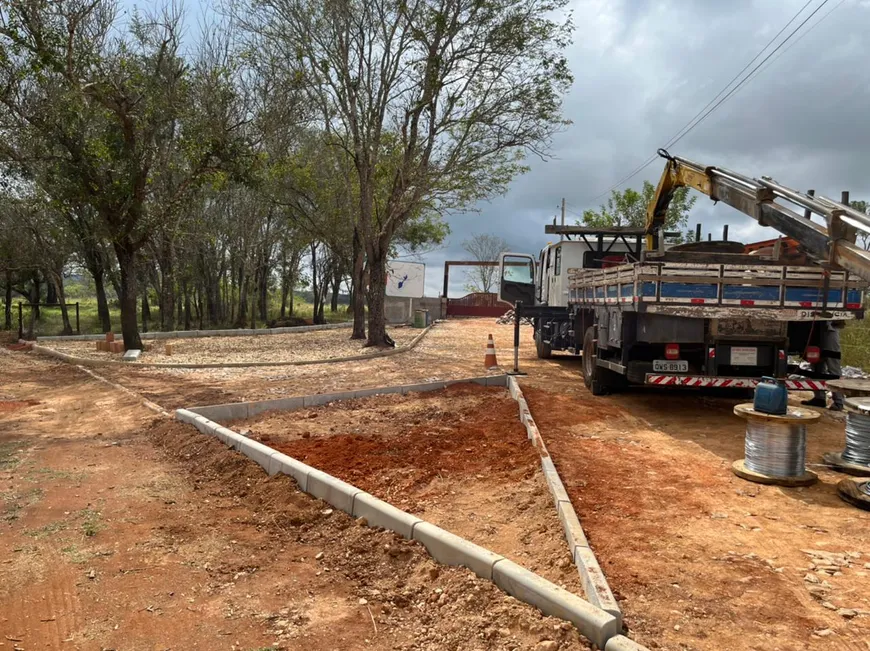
{"type": "Point", "coordinates": [643, 69]}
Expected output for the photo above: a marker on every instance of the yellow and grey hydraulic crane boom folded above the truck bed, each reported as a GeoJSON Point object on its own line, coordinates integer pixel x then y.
{"type": "Point", "coordinates": [833, 242]}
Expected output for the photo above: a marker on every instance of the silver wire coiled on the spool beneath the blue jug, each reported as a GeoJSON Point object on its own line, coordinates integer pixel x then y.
{"type": "Point", "coordinates": [776, 449]}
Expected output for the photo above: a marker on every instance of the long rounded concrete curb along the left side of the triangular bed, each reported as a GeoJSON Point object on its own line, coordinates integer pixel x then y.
{"type": "Point", "coordinates": [594, 623]}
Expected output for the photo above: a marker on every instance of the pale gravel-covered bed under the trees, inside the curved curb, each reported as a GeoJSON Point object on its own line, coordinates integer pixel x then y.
{"type": "Point", "coordinates": [289, 347]}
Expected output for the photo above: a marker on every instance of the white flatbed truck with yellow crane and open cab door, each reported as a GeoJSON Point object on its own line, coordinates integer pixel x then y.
{"type": "Point", "coordinates": [697, 314]}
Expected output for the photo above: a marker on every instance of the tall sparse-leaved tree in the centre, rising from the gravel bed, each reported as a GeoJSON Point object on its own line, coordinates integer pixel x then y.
{"type": "Point", "coordinates": [435, 102]}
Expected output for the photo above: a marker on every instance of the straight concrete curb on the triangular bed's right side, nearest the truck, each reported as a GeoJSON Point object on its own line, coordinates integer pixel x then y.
{"type": "Point", "coordinates": [591, 576]}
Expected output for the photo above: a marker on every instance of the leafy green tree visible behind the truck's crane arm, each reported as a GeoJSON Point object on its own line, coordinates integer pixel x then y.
{"type": "Point", "coordinates": [628, 208]}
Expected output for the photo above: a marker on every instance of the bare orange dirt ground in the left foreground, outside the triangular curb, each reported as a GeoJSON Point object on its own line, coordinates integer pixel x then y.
{"type": "Point", "coordinates": [121, 530]}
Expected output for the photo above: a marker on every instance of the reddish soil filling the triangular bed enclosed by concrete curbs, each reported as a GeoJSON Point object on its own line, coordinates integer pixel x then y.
{"type": "Point", "coordinates": [459, 458]}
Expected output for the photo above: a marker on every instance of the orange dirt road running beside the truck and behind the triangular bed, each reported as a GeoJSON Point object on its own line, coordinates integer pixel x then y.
{"type": "Point", "coordinates": [699, 558]}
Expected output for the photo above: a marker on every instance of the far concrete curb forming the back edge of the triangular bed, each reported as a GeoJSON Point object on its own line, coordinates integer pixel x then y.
{"type": "Point", "coordinates": [240, 410]}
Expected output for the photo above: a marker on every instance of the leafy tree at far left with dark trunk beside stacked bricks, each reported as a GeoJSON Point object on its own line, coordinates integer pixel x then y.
{"type": "Point", "coordinates": [96, 113]}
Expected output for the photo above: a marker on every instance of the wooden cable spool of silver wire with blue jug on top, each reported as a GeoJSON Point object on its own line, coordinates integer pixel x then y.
{"type": "Point", "coordinates": [775, 447]}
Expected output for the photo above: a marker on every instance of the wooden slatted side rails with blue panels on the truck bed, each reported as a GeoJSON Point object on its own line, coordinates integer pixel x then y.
{"type": "Point", "coordinates": [798, 290]}
